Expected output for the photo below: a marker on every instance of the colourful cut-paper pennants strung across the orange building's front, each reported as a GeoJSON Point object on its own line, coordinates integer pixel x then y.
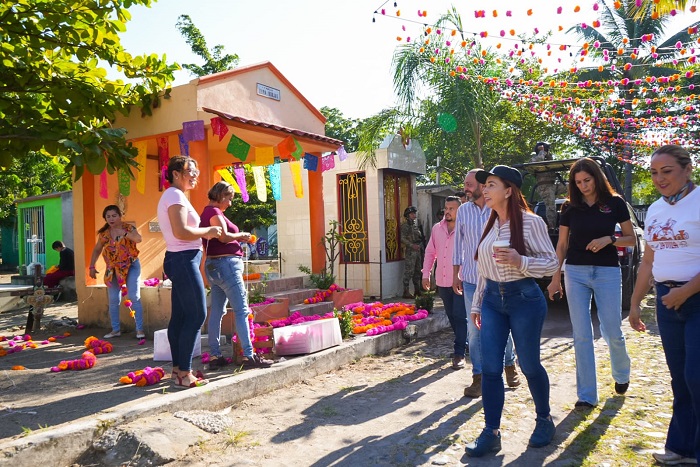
{"type": "Point", "coordinates": [289, 148]}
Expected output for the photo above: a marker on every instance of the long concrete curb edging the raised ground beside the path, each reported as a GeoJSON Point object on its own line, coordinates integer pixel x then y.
{"type": "Point", "coordinates": [64, 444]}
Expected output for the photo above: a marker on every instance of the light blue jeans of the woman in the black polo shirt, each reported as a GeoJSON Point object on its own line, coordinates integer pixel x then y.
{"type": "Point", "coordinates": [604, 283]}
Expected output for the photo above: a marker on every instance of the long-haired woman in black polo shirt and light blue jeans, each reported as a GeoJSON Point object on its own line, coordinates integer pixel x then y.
{"type": "Point", "coordinates": [588, 243]}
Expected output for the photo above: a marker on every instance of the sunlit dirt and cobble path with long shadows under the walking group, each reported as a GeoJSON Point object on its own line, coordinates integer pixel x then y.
{"type": "Point", "coordinates": [407, 408]}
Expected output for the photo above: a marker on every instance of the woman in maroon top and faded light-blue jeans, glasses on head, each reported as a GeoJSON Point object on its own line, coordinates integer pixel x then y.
{"type": "Point", "coordinates": [224, 271]}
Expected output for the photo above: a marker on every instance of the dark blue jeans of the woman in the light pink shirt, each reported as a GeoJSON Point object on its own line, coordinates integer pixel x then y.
{"type": "Point", "coordinates": [189, 306]}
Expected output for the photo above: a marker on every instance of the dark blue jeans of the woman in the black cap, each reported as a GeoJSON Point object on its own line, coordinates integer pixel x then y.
{"type": "Point", "coordinates": [518, 307]}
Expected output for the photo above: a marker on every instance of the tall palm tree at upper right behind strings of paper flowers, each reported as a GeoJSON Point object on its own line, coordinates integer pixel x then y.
{"type": "Point", "coordinates": [621, 30]}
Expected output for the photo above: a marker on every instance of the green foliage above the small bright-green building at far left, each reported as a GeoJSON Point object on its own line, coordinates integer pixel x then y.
{"type": "Point", "coordinates": [32, 175]}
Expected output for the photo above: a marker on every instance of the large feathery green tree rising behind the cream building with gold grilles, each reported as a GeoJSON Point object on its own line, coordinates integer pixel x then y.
{"type": "Point", "coordinates": [436, 80]}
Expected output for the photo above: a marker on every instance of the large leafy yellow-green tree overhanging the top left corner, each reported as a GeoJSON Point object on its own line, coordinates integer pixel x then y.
{"type": "Point", "coordinates": [55, 98]}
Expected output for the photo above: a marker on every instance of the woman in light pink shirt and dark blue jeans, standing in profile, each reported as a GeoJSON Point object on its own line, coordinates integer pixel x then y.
{"type": "Point", "coordinates": [179, 224]}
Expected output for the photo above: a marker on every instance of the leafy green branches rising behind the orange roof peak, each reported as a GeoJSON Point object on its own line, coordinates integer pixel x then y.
{"type": "Point", "coordinates": [214, 60]}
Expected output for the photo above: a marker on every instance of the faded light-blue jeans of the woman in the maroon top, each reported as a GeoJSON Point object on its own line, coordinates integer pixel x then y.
{"type": "Point", "coordinates": [225, 276]}
